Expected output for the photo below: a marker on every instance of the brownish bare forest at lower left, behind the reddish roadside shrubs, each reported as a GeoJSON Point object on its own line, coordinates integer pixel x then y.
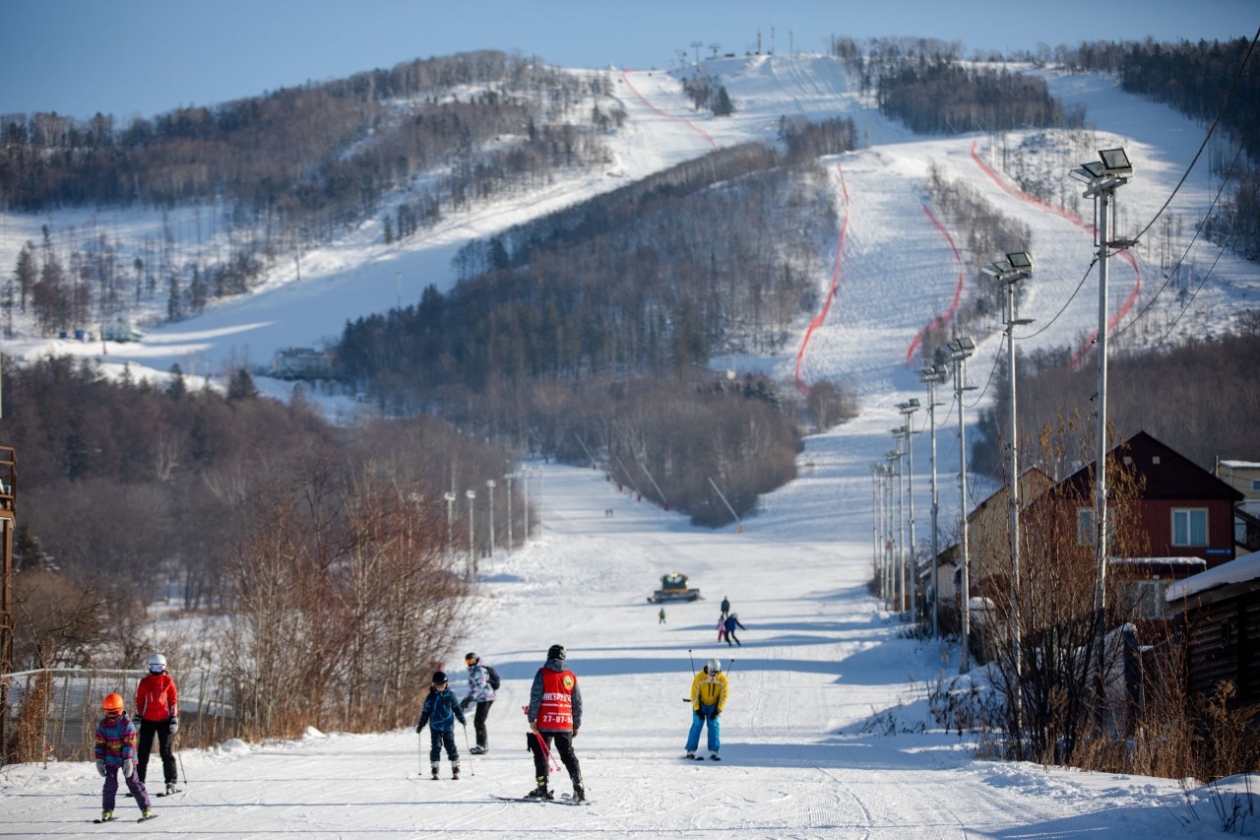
{"type": "Point", "coordinates": [132, 493]}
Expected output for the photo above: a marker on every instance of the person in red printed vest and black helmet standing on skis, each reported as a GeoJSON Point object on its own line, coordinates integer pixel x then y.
{"type": "Point", "coordinates": [555, 717]}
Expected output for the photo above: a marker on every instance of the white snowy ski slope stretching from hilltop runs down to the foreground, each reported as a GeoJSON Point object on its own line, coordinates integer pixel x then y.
{"type": "Point", "coordinates": [823, 674]}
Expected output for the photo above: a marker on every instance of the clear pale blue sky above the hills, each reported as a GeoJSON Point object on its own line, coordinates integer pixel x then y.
{"type": "Point", "coordinates": [125, 57]}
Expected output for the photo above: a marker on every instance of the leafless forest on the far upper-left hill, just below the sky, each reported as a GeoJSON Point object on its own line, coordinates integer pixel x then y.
{"type": "Point", "coordinates": [275, 174]}
